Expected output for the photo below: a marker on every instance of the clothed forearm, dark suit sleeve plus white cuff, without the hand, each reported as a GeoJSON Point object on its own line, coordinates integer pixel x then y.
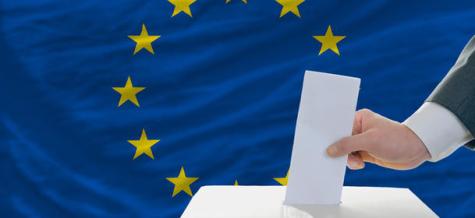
{"type": "Point", "coordinates": [447, 120]}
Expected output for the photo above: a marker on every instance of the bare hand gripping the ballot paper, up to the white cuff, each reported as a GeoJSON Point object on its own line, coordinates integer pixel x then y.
{"type": "Point", "coordinates": [381, 141]}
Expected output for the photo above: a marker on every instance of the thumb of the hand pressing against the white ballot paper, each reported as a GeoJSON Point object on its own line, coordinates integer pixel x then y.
{"type": "Point", "coordinates": [349, 144]}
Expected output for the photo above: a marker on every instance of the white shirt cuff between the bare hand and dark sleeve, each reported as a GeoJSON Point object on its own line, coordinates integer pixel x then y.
{"type": "Point", "coordinates": [440, 130]}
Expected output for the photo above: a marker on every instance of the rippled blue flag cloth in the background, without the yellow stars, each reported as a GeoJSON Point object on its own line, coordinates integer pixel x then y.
{"type": "Point", "coordinates": [222, 94]}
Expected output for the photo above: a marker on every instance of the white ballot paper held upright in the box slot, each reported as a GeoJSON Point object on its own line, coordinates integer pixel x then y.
{"type": "Point", "coordinates": [326, 113]}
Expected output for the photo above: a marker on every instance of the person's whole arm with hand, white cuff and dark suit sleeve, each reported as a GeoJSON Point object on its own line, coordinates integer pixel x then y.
{"type": "Point", "coordinates": [445, 122]}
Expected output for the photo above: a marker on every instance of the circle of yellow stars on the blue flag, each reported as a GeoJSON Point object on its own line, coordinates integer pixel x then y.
{"type": "Point", "coordinates": [144, 40]}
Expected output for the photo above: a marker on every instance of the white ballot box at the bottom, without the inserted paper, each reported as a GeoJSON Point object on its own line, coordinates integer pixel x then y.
{"type": "Point", "coordinates": [268, 202]}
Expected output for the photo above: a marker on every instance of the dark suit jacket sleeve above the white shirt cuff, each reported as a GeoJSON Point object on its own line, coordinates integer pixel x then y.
{"type": "Point", "coordinates": [456, 92]}
